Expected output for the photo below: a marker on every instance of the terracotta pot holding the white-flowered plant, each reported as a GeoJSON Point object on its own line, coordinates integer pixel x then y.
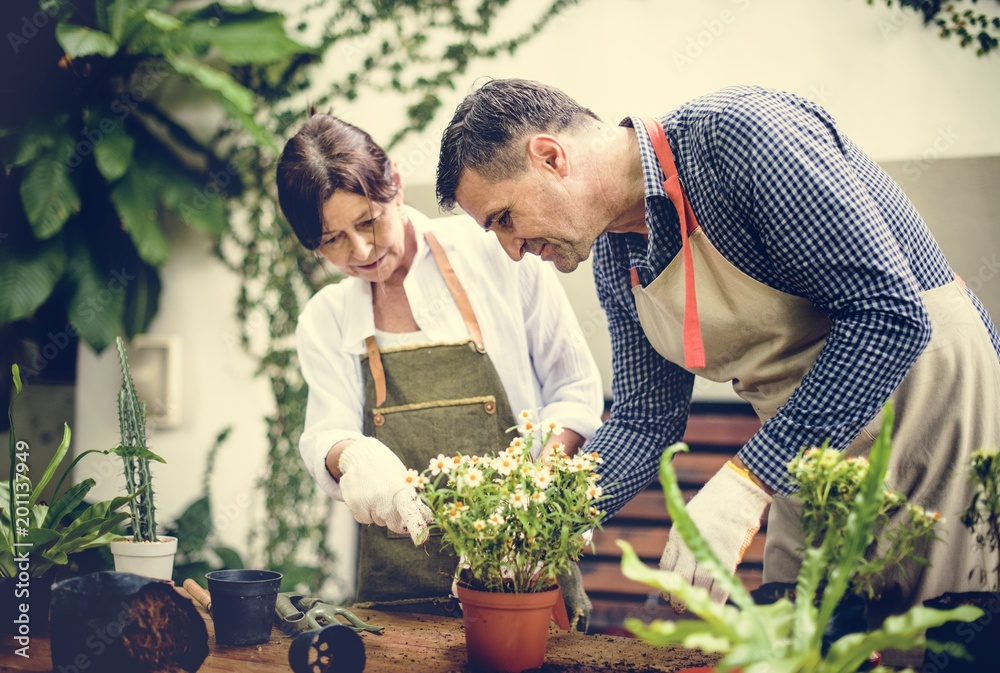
{"type": "Point", "coordinates": [506, 632]}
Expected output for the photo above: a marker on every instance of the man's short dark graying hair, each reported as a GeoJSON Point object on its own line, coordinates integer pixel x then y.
{"type": "Point", "coordinates": [483, 132]}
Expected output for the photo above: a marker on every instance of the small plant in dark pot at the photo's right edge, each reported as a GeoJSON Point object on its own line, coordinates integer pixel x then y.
{"type": "Point", "coordinates": [982, 518]}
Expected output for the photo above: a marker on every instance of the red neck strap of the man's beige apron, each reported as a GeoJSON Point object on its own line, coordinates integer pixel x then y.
{"type": "Point", "coordinates": [694, 346]}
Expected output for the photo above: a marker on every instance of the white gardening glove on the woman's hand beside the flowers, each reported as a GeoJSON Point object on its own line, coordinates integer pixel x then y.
{"type": "Point", "coordinates": [375, 490]}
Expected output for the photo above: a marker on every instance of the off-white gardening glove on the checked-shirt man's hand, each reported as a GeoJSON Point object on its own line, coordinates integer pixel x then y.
{"type": "Point", "coordinates": [727, 511]}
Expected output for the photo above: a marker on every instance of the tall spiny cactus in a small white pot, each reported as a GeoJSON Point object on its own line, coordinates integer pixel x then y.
{"type": "Point", "coordinates": [156, 555]}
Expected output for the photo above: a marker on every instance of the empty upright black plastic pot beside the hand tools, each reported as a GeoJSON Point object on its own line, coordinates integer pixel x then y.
{"type": "Point", "coordinates": [243, 605]}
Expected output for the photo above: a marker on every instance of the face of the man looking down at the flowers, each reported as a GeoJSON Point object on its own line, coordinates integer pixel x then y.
{"type": "Point", "coordinates": [533, 212]}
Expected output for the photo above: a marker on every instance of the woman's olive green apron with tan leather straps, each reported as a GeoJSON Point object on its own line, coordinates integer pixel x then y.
{"type": "Point", "coordinates": [421, 401]}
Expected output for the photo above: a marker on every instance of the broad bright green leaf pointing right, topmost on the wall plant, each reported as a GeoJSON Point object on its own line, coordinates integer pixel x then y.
{"type": "Point", "coordinates": [257, 38]}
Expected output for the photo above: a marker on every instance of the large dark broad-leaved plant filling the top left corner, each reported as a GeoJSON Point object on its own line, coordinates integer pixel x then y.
{"type": "Point", "coordinates": [92, 153]}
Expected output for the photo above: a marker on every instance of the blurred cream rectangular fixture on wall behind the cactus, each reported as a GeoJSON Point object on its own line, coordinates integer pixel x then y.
{"type": "Point", "coordinates": [155, 362]}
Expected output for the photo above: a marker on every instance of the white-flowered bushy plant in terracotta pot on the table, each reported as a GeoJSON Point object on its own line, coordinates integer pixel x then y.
{"type": "Point", "coordinates": [516, 524]}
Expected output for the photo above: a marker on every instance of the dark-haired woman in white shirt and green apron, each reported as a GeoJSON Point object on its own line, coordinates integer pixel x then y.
{"type": "Point", "coordinates": [429, 346]}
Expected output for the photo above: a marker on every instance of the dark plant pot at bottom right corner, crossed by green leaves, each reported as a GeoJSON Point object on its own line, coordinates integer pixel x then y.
{"type": "Point", "coordinates": [981, 638]}
